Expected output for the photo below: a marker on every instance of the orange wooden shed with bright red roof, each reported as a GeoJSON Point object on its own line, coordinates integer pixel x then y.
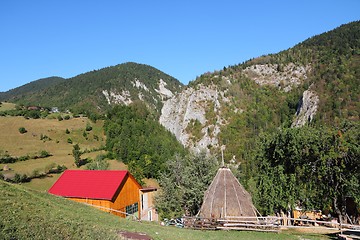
{"type": "Point", "coordinates": [110, 190]}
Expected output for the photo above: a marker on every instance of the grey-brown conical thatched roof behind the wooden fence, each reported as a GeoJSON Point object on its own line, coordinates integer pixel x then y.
{"type": "Point", "coordinates": [226, 198]}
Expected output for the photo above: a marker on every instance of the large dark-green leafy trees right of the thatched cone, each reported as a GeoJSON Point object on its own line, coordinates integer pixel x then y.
{"type": "Point", "coordinates": [309, 167]}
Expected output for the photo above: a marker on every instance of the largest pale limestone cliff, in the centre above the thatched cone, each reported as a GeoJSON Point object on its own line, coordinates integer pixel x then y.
{"type": "Point", "coordinates": [188, 116]}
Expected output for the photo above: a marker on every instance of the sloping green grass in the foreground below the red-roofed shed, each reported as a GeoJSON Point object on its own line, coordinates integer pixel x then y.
{"type": "Point", "coordinates": [29, 214]}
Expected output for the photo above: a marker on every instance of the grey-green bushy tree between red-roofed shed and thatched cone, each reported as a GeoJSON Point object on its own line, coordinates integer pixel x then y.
{"type": "Point", "coordinates": [183, 184]}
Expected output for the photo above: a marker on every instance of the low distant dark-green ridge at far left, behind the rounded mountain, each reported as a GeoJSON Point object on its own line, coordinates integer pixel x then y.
{"type": "Point", "coordinates": [30, 88]}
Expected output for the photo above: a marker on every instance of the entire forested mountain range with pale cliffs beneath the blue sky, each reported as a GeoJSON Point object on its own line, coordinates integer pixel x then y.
{"type": "Point", "coordinates": [315, 82]}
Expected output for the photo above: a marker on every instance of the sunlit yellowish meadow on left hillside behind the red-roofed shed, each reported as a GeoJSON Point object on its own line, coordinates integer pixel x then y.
{"type": "Point", "coordinates": [49, 135]}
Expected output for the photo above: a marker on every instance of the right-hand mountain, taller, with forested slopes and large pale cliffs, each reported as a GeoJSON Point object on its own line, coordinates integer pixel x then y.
{"type": "Point", "coordinates": [315, 82]}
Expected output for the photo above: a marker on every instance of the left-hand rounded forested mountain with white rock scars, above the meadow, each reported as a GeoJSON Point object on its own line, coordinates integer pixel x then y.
{"type": "Point", "coordinates": [99, 89]}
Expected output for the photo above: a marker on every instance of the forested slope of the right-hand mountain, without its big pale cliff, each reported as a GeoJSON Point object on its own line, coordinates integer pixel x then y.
{"type": "Point", "coordinates": [332, 68]}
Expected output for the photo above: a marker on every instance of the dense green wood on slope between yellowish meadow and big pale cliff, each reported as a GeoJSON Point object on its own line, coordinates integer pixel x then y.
{"type": "Point", "coordinates": [134, 137]}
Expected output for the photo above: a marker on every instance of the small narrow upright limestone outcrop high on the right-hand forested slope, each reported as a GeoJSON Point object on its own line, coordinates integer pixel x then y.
{"type": "Point", "coordinates": [307, 108]}
